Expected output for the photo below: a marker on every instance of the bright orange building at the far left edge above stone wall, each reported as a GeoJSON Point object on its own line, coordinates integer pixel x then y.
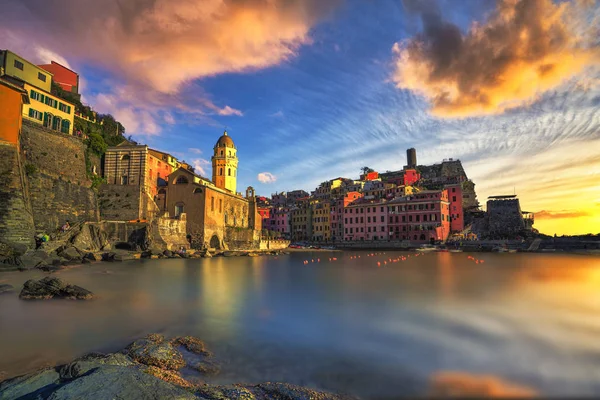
{"type": "Point", "coordinates": [12, 98]}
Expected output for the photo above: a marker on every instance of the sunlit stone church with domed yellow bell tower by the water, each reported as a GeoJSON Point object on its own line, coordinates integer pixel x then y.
{"type": "Point", "coordinates": [216, 215]}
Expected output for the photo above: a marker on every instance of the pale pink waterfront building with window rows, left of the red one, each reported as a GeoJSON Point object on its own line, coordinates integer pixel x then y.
{"type": "Point", "coordinates": [365, 220]}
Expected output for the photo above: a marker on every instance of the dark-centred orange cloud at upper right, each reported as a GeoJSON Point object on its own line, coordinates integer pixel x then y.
{"type": "Point", "coordinates": [525, 47]}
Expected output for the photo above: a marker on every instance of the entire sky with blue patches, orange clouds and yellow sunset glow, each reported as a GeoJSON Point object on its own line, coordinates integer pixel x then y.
{"type": "Point", "coordinates": [310, 90]}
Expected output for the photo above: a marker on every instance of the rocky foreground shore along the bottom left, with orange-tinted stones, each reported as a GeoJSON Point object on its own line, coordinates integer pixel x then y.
{"type": "Point", "coordinates": [152, 367]}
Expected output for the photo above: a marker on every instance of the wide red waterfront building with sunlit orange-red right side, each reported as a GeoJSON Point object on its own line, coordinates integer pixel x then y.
{"type": "Point", "coordinates": [420, 217]}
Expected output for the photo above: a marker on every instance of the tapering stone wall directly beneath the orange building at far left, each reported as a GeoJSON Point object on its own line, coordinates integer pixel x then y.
{"type": "Point", "coordinates": [16, 219]}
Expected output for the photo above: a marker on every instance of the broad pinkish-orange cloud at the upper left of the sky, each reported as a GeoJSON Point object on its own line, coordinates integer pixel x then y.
{"type": "Point", "coordinates": [165, 43]}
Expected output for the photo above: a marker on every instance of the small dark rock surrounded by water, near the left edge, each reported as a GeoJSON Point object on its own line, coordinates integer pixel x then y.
{"type": "Point", "coordinates": [51, 287]}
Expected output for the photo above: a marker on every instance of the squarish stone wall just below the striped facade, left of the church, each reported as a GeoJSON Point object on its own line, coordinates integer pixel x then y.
{"type": "Point", "coordinates": [119, 202]}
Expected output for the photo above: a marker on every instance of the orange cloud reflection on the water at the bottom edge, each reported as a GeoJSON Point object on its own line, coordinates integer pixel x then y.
{"type": "Point", "coordinates": [459, 384]}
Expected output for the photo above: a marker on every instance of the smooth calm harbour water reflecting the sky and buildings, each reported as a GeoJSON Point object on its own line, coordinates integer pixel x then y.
{"type": "Point", "coordinates": [347, 325]}
